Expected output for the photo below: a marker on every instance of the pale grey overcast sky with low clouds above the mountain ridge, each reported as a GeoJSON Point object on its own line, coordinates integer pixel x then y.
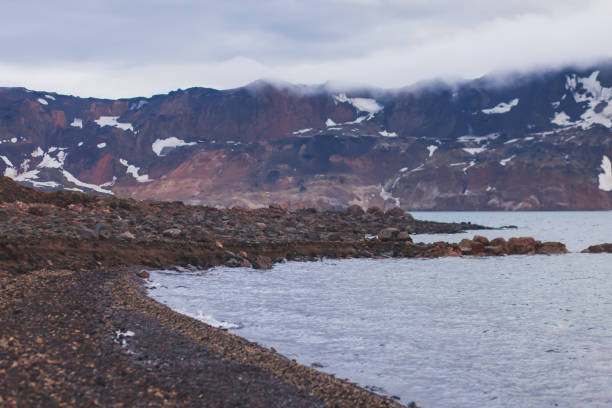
{"type": "Point", "coordinates": [138, 48]}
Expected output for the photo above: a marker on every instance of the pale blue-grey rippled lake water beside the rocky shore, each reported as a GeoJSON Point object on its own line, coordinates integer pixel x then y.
{"type": "Point", "coordinates": [532, 331]}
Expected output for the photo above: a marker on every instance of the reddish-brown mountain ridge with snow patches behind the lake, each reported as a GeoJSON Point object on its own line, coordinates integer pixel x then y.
{"type": "Point", "coordinates": [538, 141]}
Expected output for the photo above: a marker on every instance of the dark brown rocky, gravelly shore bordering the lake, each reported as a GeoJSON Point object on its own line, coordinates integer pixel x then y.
{"type": "Point", "coordinates": [78, 330]}
